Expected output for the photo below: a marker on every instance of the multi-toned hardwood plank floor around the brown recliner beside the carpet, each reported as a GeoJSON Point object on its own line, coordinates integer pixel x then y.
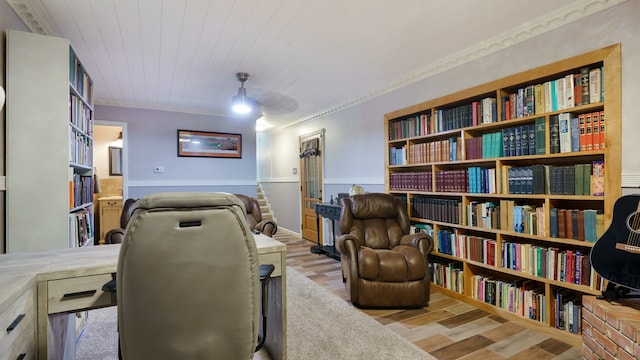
{"type": "Point", "coordinates": [447, 328]}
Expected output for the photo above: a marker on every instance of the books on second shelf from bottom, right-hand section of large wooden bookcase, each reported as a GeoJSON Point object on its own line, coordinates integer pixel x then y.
{"type": "Point", "coordinates": [570, 266]}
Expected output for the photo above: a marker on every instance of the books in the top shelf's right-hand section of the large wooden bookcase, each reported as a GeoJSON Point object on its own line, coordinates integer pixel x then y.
{"type": "Point", "coordinates": [581, 88]}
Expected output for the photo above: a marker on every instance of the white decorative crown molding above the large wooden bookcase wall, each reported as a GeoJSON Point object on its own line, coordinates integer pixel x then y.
{"type": "Point", "coordinates": [562, 16]}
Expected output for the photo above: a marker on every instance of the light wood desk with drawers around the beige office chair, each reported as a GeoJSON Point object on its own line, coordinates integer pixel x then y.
{"type": "Point", "coordinates": [58, 283]}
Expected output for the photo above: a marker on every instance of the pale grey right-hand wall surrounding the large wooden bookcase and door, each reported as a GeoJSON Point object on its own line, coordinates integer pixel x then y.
{"type": "Point", "coordinates": [354, 141]}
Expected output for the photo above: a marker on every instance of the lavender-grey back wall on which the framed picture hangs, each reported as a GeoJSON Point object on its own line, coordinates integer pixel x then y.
{"type": "Point", "coordinates": [152, 141]}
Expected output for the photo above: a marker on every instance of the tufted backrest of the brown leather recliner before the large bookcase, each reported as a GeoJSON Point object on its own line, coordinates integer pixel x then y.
{"type": "Point", "coordinates": [378, 220]}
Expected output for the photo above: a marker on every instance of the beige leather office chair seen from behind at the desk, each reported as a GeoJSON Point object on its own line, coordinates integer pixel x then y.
{"type": "Point", "coordinates": [188, 279]}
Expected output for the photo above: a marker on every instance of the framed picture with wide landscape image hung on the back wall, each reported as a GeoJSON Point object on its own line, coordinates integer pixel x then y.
{"type": "Point", "coordinates": [209, 144]}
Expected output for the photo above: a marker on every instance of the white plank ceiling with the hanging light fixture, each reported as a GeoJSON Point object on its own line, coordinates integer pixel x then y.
{"type": "Point", "coordinates": [304, 58]}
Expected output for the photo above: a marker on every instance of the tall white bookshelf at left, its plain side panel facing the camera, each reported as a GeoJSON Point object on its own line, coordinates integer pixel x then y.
{"type": "Point", "coordinates": [49, 145]}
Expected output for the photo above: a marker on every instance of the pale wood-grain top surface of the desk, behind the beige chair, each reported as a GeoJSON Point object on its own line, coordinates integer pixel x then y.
{"type": "Point", "coordinates": [20, 271]}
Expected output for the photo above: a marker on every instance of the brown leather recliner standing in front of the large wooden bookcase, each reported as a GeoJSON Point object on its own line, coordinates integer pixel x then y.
{"type": "Point", "coordinates": [384, 265]}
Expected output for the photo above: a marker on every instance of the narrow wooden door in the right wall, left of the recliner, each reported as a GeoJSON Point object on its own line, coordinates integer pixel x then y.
{"type": "Point", "coordinates": [310, 183]}
